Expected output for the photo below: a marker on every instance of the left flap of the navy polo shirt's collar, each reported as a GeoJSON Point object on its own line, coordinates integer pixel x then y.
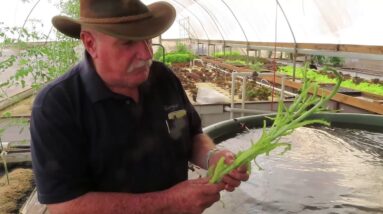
{"type": "Point", "coordinates": [94, 86]}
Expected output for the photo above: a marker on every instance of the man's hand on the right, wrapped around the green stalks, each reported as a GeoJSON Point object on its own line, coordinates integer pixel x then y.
{"type": "Point", "coordinates": [235, 177]}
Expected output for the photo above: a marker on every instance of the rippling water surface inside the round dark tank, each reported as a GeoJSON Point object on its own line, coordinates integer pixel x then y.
{"type": "Point", "coordinates": [328, 170]}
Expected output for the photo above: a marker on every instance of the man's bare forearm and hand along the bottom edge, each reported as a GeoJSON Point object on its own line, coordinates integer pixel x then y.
{"type": "Point", "coordinates": [187, 197]}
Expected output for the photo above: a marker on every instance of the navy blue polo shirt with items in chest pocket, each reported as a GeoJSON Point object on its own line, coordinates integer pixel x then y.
{"type": "Point", "coordinates": [86, 138]}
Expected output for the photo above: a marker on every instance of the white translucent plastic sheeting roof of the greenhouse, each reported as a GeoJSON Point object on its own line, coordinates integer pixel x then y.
{"type": "Point", "coordinates": [312, 21]}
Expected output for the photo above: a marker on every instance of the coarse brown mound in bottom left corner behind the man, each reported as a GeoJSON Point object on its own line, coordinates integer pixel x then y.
{"type": "Point", "coordinates": [14, 194]}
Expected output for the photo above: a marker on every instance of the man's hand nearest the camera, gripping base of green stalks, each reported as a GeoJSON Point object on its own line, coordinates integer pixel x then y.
{"type": "Point", "coordinates": [194, 196]}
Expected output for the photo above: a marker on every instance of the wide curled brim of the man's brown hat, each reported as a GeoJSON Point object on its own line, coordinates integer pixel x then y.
{"type": "Point", "coordinates": [163, 15]}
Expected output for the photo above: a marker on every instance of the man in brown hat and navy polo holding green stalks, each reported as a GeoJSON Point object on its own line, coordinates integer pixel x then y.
{"type": "Point", "coordinates": [116, 132]}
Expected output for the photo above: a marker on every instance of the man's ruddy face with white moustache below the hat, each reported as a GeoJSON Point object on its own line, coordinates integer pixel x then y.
{"type": "Point", "coordinates": [122, 63]}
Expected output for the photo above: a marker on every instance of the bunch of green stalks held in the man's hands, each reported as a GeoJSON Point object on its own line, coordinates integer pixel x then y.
{"type": "Point", "coordinates": [285, 121]}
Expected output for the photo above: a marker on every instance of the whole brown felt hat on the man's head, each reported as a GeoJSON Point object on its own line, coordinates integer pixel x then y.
{"type": "Point", "coordinates": [123, 19]}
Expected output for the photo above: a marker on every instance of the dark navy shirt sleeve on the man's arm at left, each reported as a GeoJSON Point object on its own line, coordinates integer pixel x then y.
{"type": "Point", "coordinates": [58, 149]}
